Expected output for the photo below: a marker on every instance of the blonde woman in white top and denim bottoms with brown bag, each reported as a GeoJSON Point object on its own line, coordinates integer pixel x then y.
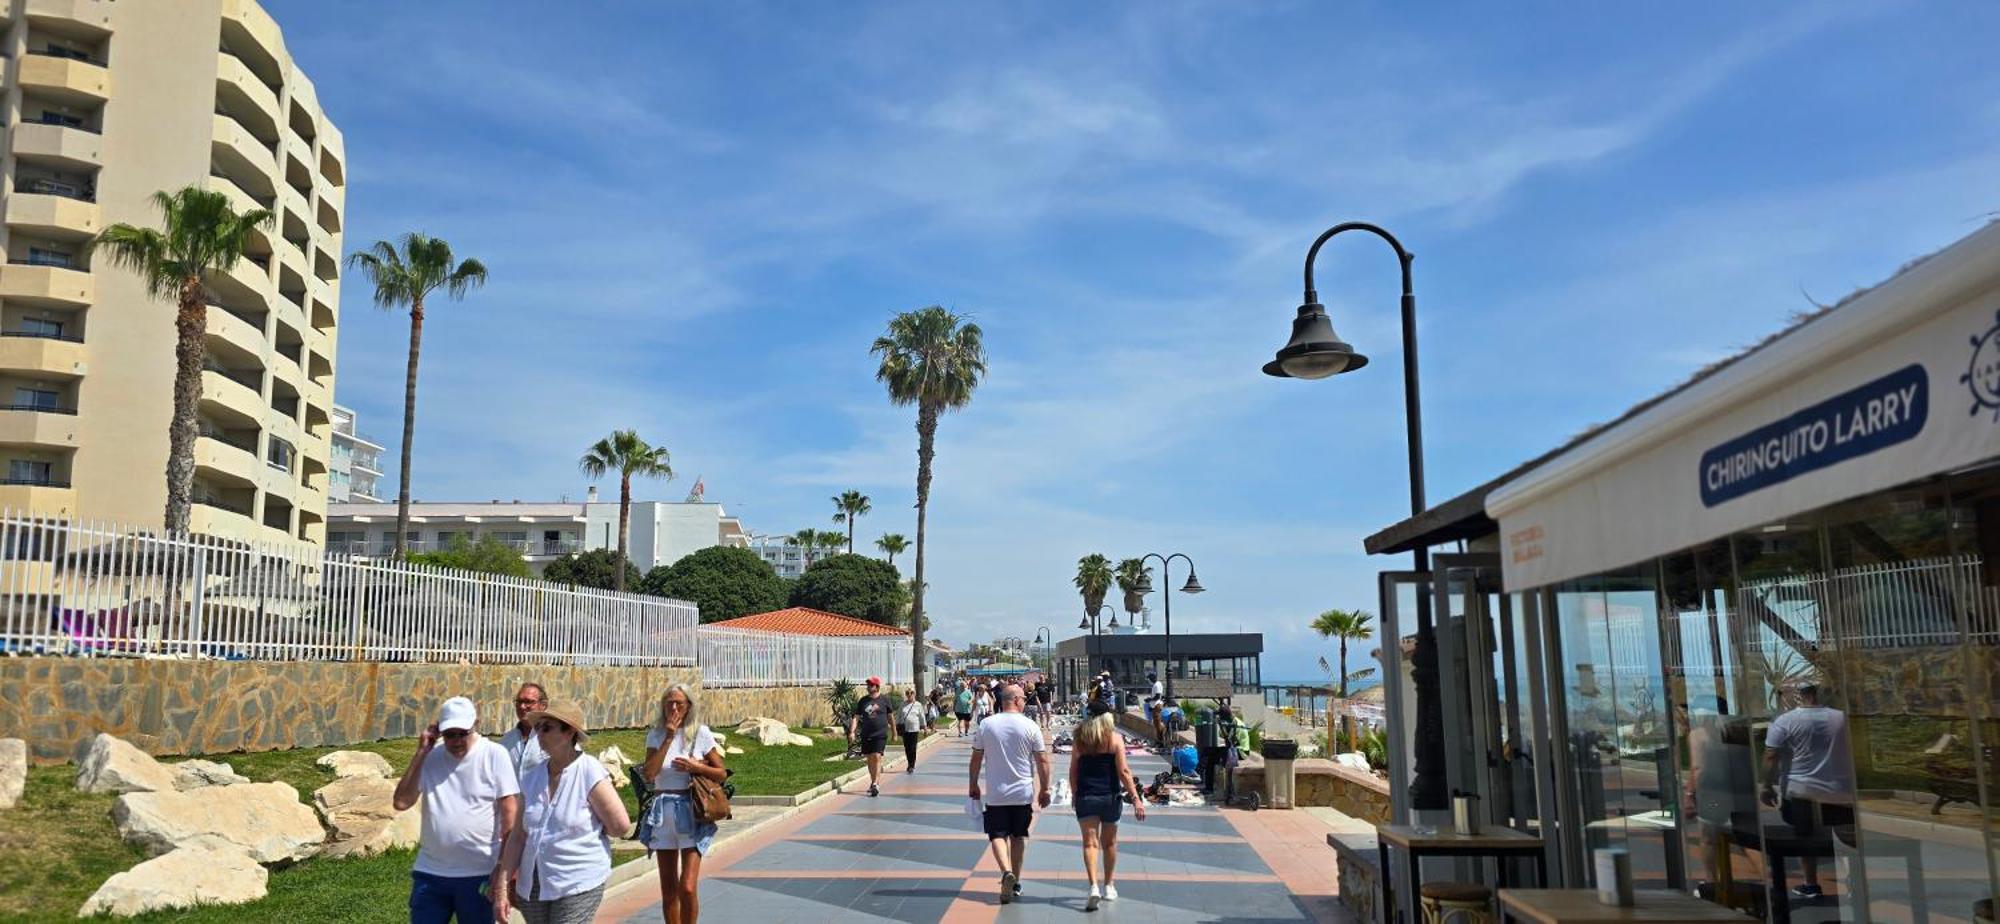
{"type": "Point", "coordinates": [679, 747]}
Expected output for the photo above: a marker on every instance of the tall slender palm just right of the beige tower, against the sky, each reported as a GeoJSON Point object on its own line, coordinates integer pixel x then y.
{"type": "Point", "coordinates": [409, 275]}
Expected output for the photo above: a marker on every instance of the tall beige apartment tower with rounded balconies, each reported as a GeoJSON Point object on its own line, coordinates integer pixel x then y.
{"type": "Point", "coordinates": [105, 105]}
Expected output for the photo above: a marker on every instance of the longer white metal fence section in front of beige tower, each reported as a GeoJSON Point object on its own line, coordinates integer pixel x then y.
{"type": "Point", "coordinates": [97, 589]}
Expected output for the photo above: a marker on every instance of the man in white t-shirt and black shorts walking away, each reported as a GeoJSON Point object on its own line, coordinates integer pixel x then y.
{"type": "Point", "coordinates": [1013, 759]}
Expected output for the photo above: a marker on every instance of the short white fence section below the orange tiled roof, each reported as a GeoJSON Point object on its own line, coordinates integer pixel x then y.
{"type": "Point", "coordinates": [735, 657]}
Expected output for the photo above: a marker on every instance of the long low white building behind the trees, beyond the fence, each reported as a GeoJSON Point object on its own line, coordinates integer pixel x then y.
{"type": "Point", "coordinates": [661, 533]}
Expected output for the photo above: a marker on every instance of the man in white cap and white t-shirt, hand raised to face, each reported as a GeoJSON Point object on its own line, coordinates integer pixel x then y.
{"type": "Point", "coordinates": [471, 803]}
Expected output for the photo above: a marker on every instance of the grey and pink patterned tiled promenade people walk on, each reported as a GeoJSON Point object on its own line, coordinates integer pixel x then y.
{"type": "Point", "coordinates": [915, 857]}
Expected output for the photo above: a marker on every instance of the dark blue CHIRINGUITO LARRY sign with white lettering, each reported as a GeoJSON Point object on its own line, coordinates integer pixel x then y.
{"type": "Point", "coordinates": [1861, 421]}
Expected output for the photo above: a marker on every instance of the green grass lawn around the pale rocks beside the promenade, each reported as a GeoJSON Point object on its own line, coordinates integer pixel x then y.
{"type": "Point", "coordinates": [59, 845]}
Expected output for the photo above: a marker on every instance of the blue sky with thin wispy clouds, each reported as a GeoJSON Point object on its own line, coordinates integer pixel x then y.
{"type": "Point", "coordinates": [699, 217]}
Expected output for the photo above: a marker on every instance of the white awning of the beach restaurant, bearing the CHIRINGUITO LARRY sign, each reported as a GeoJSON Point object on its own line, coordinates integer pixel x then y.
{"type": "Point", "coordinates": [1899, 385]}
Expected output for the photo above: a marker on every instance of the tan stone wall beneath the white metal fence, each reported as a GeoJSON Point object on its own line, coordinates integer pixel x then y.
{"type": "Point", "coordinates": [207, 707]}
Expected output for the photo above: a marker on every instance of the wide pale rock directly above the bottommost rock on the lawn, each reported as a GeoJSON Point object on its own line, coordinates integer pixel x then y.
{"type": "Point", "coordinates": [263, 819]}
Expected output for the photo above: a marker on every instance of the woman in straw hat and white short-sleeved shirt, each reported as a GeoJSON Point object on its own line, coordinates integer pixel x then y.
{"type": "Point", "coordinates": [559, 857]}
